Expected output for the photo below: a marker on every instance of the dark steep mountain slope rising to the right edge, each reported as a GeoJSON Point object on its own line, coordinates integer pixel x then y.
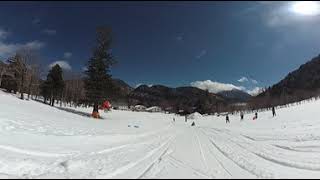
{"type": "Point", "coordinates": [299, 84]}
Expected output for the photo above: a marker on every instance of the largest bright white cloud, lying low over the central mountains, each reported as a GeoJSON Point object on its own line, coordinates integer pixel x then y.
{"type": "Point", "coordinates": [215, 87]}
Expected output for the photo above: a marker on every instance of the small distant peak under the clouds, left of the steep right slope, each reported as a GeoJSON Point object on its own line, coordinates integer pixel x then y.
{"type": "Point", "coordinates": [235, 95]}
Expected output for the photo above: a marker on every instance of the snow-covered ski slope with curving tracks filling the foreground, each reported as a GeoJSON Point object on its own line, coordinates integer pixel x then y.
{"type": "Point", "coordinates": [39, 141]}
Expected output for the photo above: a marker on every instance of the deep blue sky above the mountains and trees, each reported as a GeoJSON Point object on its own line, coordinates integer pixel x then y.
{"type": "Point", "coordinates": [214, 45]}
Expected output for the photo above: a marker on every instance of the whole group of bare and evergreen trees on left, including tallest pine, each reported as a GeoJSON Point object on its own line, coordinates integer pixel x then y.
{"type": "Point", "coordinates": [22, 73]}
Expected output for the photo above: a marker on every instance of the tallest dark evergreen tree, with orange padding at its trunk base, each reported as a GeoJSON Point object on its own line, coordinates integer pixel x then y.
{"type": "Point", "coordinates": [98, 83]}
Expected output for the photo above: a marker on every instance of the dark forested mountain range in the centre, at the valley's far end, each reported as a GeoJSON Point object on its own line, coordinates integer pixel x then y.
{"type": "Point", "coordinates": [189, 99]}
